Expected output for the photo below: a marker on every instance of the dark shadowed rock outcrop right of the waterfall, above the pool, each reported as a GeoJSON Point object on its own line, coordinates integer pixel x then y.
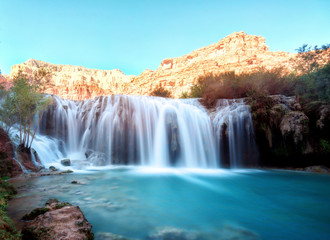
{"type": "Point", "coordinates": [289, 135]}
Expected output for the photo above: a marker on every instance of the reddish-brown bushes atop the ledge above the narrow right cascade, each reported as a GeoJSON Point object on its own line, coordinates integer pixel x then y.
{"type": "Point", "coordinates": [229, 85]}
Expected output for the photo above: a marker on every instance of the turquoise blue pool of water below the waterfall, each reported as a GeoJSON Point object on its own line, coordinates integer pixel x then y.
{"type": "Point", "coordinates": [250, 204]}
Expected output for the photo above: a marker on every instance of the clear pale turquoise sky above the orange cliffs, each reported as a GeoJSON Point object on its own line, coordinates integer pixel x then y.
{"type": "Point", "coordinates": [138, 35]}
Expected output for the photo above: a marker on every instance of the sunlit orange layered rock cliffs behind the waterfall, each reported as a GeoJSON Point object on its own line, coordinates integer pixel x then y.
{"type": "Point", "coordinates": [237, 52]}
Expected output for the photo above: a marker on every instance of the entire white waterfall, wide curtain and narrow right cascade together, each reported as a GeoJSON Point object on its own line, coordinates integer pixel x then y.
{"type": "Point", "coordinates": [147, 131]}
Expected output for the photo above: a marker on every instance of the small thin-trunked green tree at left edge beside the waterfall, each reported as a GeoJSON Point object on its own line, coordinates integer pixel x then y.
{"type": "Point", "coordinates": [25, 106]}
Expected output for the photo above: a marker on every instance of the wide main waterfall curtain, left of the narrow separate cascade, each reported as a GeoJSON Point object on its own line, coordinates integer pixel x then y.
{"type": "Point", "coordinates": [119, 129]}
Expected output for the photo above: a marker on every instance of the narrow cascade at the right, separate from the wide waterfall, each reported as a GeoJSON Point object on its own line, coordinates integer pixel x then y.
{"type": "Point", "coordinates": [234, 133]}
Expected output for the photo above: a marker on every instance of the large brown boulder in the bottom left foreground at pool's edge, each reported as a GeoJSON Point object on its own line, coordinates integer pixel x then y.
{"type": "Point", "coordinates": [59, 220]}
